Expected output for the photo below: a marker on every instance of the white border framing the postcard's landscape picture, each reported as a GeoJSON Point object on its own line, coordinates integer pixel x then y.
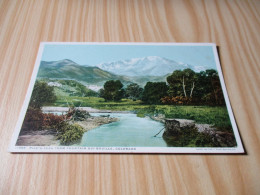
{"type": "Point", "coordinates": [80, 149]}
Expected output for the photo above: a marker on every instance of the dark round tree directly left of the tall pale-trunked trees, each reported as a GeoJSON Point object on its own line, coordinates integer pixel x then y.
{"type": "Point", "coordinates": [154, 91]}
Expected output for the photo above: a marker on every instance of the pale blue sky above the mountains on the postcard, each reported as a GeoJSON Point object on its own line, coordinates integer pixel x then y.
{"type": "Point", "coordinates": [96, 54]}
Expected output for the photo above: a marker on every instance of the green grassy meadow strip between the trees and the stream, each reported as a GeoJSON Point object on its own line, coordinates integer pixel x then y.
{"type": "Point", "coordinates": [217, 115]}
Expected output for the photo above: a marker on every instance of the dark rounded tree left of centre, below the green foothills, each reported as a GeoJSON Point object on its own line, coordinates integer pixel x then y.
{"type": "Point", "coordinates": [112, 91]}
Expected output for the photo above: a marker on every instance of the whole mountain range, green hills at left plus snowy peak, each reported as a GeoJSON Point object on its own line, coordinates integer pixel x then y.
{"type": "Point", "coordinates": [137, 70]}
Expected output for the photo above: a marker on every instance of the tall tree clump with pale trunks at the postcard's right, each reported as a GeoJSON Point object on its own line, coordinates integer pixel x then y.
{"type": "Point", "coordinates": [202, 88]}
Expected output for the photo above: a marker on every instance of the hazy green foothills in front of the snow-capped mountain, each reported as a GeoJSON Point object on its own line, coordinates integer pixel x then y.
{"type": "Point", "coordinates": [88, 75]}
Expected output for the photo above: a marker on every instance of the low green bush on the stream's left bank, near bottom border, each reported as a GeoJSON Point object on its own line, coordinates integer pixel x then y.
{"type": "Point", "coordinates": [70, 134]}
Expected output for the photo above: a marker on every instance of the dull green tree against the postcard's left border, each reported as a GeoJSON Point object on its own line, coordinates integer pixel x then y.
{"type": "Point", "coordinates": [42, 94]}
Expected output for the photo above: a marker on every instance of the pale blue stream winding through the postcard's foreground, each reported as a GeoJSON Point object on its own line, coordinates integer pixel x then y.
{"type": "Point", "coordinates": [129, 131]}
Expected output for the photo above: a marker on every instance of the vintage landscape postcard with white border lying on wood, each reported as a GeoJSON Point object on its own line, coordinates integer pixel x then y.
{"type": "Point", "coordinates": [127, 98]}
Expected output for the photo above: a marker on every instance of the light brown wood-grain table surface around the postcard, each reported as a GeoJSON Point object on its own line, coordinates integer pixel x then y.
{"type": "Point", "coordinates": [233, 25]}
